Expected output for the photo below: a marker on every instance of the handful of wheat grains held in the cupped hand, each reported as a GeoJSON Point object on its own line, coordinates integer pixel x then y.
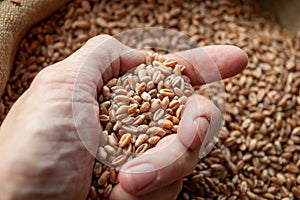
{"type": "Point", "coordinates": [136, 111]}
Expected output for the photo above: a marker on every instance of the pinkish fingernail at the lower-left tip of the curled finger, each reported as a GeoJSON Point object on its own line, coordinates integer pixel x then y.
{"type": "Point", "coordinates": [140, 176]}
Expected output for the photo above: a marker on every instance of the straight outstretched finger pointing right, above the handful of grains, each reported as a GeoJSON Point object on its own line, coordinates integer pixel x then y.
{"type": "Point", "coordinates": [211, 63]}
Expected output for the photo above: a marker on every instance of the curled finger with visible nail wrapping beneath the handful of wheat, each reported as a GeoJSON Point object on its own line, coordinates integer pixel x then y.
{"type": "Point", "coordinates": [175, 156]}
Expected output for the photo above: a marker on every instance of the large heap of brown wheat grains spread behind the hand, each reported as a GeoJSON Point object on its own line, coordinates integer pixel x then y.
{"type": "Point", "coordinates": [258, 151]}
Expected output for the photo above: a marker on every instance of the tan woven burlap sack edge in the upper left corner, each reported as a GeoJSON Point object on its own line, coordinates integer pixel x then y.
{"type": "Point", "coordinates": [15, 20]}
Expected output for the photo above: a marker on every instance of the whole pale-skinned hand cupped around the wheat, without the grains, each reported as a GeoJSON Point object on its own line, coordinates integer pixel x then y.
{"type": "Point", "coordinates": [43, 146]}
